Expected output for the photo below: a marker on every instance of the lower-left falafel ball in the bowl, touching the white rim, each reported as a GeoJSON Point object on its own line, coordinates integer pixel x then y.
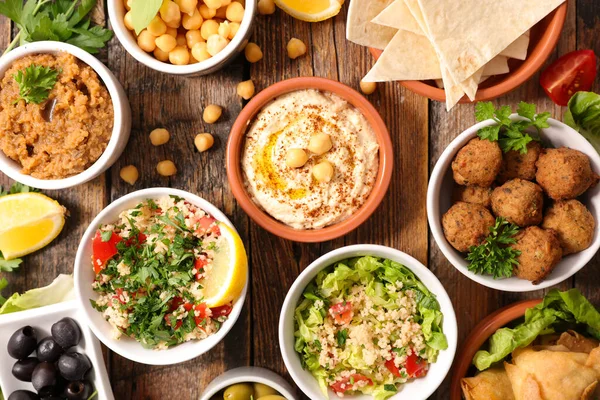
{"type": "Point", "coordinates": [466, 225]}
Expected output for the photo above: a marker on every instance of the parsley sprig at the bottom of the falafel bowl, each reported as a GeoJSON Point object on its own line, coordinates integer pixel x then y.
{"type": "Point", "coordinates": [494, 256]}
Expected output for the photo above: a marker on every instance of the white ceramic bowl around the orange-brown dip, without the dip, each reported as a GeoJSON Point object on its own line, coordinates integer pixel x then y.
{"type": "Point", "coordinates": [121, 126]}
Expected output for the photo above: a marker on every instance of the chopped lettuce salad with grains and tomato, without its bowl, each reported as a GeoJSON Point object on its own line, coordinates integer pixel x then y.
{"type": "Point", "coordinates": [366, 325]}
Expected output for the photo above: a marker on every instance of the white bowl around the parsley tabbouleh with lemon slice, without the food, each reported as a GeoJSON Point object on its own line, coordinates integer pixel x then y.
{"type": "Point", "coordinates": [84, 276]}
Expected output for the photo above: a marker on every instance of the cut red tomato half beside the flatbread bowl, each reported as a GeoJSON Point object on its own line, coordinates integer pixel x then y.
{"type": "Point", "coordinates": [573, 72]}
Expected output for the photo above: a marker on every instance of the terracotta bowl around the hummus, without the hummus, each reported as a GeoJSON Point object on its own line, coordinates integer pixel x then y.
{"type": "Point", "coordinates": [236, 142]}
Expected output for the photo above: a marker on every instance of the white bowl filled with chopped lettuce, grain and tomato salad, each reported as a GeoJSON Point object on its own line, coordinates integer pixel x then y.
{"type": "Point", "coordinates": [369, 322]}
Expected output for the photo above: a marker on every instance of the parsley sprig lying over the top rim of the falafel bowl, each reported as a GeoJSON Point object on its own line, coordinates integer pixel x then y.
{"type": "Point", "coordinates": [510, 135]}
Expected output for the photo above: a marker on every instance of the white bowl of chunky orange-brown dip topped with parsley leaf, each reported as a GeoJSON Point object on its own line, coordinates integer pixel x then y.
{"type": "Point", "coordinates": [64, 117]}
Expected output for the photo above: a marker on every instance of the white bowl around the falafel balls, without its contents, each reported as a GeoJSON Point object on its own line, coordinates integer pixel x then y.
{"type": "Point", "coordinates": [449, 252]}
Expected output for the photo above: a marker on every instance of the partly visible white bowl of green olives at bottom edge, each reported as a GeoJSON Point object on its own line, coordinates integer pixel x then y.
{"type": "Point", "coordinates": [249, 383]}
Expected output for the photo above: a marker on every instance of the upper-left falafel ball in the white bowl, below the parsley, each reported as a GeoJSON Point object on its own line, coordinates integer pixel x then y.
{"type": "Point", "coordinates": [477, 163]}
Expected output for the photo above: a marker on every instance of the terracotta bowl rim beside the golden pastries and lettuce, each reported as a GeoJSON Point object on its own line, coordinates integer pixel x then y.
{"type": "Point", "coordinates": [479, 336]}
